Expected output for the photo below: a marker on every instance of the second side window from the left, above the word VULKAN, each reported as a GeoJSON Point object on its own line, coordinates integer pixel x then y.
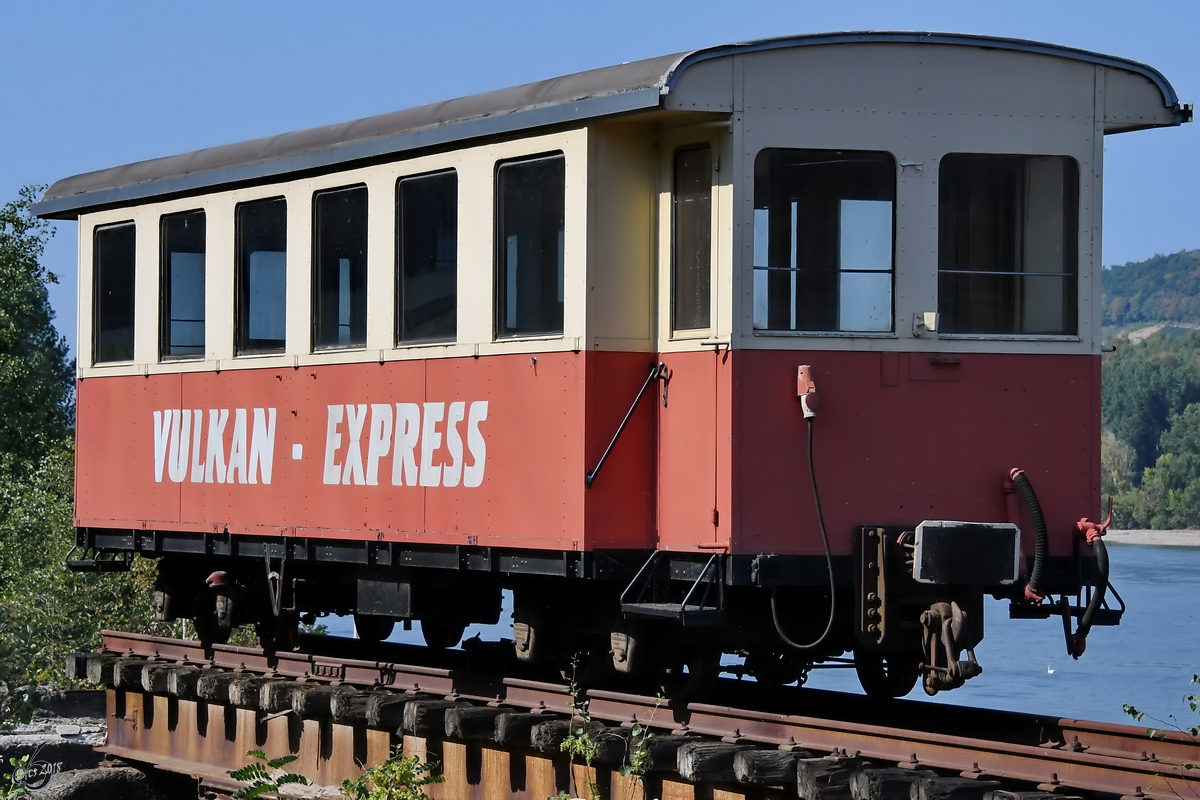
{"type": "Point", "coordinates": [182, 310]}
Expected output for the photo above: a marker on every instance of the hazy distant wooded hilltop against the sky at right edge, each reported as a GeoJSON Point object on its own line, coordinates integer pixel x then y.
{"type": "Point", "coordinates": [1161, 290]}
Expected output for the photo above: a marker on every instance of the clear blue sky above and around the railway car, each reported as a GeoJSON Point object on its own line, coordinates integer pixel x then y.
{"type": "Point", "coordinates": [94, 86]}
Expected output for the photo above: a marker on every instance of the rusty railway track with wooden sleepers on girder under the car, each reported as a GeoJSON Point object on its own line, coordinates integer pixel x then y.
{"type": "Point", "coordinates": [184, 709]}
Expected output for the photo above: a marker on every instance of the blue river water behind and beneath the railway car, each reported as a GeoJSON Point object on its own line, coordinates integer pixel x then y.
{"type": "Point", "coordinates": [1147, 661]}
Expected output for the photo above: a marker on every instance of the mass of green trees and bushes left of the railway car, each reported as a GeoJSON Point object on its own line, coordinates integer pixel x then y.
{"type": "Point", "coordinates": [45, 611]}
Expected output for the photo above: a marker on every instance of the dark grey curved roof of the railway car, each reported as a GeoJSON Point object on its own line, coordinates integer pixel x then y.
{"type": "Point", "coordinates": [638, 86]}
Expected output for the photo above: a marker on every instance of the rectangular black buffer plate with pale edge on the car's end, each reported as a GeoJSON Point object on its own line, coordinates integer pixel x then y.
{"type": "Point", "coordinates": [968, 554]}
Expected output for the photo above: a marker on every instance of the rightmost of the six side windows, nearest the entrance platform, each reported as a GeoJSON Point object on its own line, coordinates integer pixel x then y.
{"type": "Point", "coordinates": [531, 200]}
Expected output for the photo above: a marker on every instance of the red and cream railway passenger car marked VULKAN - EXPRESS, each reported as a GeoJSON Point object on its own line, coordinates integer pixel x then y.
{"type": "Point", "coordinates": [568, 340]}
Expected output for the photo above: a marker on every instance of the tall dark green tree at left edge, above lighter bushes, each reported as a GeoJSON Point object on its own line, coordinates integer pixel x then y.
{"type": "Point", "coordinates": [37, 375]}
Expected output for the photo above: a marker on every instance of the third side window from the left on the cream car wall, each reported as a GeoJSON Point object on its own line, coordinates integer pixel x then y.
{"type": "Point", "coordinates": [262, 276]}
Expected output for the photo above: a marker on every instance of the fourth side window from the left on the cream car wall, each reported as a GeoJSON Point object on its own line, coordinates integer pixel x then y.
{"type": "Point", "coordinates": [340, 269]}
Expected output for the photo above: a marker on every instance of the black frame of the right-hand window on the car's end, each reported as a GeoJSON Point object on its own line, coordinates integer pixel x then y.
{"type": "Point", "coordinates": [1075, 222]}
